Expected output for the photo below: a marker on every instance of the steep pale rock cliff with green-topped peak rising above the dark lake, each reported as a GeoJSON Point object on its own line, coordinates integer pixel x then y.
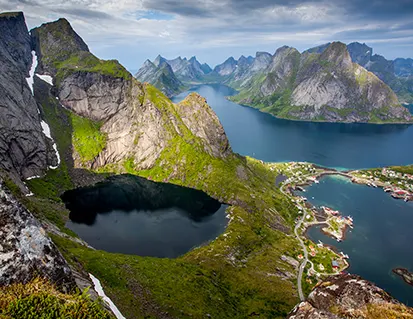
{"type": "Point", "coordinates": [130, 124]}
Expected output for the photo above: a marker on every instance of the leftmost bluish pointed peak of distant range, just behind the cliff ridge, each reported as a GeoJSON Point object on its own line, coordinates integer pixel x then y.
{"type": "Point", "coordinates": [160, 75]}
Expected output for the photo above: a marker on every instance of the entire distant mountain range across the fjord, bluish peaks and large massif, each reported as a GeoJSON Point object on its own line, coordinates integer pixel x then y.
{"type": "Point", "coordinates": [346, 84]}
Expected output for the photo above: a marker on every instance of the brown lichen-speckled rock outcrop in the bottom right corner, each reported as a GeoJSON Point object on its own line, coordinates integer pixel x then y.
{"type": "Point", "coordinates": [349, 296]}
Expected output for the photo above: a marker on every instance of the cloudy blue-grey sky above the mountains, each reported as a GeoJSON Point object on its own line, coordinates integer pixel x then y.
{"type": "Point", "coordinates": [134, 30]}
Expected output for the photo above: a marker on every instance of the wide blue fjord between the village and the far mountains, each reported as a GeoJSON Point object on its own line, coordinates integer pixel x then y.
{"type": "Point", "coordinates": [339, 145]}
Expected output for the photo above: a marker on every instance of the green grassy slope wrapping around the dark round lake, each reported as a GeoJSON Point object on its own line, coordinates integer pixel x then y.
{"type": "Point", "coordinates": [234, 276]}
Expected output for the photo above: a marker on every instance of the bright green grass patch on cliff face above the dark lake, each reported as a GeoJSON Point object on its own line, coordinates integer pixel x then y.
{"type": "Point", "coordinates": [88, 140]}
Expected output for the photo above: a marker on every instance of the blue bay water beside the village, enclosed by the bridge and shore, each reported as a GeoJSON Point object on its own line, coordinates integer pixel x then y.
{"type": "Point", "coordinates": [382, 236]}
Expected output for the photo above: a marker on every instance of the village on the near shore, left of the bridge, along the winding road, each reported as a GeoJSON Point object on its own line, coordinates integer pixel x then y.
{"type": "Point", "coordinates": [323, 260]}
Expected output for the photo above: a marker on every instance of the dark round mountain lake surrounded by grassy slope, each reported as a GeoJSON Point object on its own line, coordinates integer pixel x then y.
{"type": "Point", "coordinates": [131, 215]}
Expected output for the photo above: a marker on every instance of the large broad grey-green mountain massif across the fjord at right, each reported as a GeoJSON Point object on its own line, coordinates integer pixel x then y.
{"type": "Point", "coordinates": [321, 87]}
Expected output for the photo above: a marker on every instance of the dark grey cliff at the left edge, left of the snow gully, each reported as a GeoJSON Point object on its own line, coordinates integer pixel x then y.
{"type": "Point", "coordinates": [24, 149]}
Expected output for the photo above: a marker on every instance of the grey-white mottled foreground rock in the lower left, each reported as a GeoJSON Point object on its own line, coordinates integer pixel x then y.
{"type": "Point", "coordinates": [25, 250]}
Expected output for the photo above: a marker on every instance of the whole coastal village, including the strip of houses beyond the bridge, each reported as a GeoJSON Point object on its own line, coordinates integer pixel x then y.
{"type": "Point", "coordinates": [321, 260]}
